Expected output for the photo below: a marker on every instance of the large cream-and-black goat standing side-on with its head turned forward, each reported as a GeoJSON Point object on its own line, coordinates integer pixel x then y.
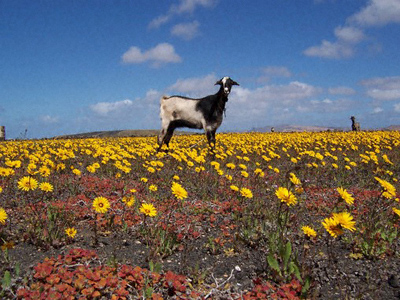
{"type": "Point", "coordinates": [203, 113]}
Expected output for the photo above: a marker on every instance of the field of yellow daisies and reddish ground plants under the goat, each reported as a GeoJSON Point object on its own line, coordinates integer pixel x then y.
{"type": "Point", "coordinates": [262, 216]}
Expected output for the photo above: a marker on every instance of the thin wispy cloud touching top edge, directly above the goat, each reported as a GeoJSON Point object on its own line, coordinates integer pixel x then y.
{"type": "Point", "coordinates": [184, 7]}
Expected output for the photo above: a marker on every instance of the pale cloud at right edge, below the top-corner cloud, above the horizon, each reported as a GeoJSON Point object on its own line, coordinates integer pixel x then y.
{"type": "Point", "coordinates": [383, 88]}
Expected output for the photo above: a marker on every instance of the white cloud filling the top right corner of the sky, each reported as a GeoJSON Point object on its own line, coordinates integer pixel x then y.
{"type": "Point", "coordinates": [378, 13]}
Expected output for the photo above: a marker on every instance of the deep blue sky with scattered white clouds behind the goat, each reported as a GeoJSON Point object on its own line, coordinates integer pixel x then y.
{"type": "Point", "coordinates": [76, 66]}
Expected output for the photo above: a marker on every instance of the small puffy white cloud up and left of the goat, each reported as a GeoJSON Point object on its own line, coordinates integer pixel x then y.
{"type": "Point", "coordinates": [161, 54]}
